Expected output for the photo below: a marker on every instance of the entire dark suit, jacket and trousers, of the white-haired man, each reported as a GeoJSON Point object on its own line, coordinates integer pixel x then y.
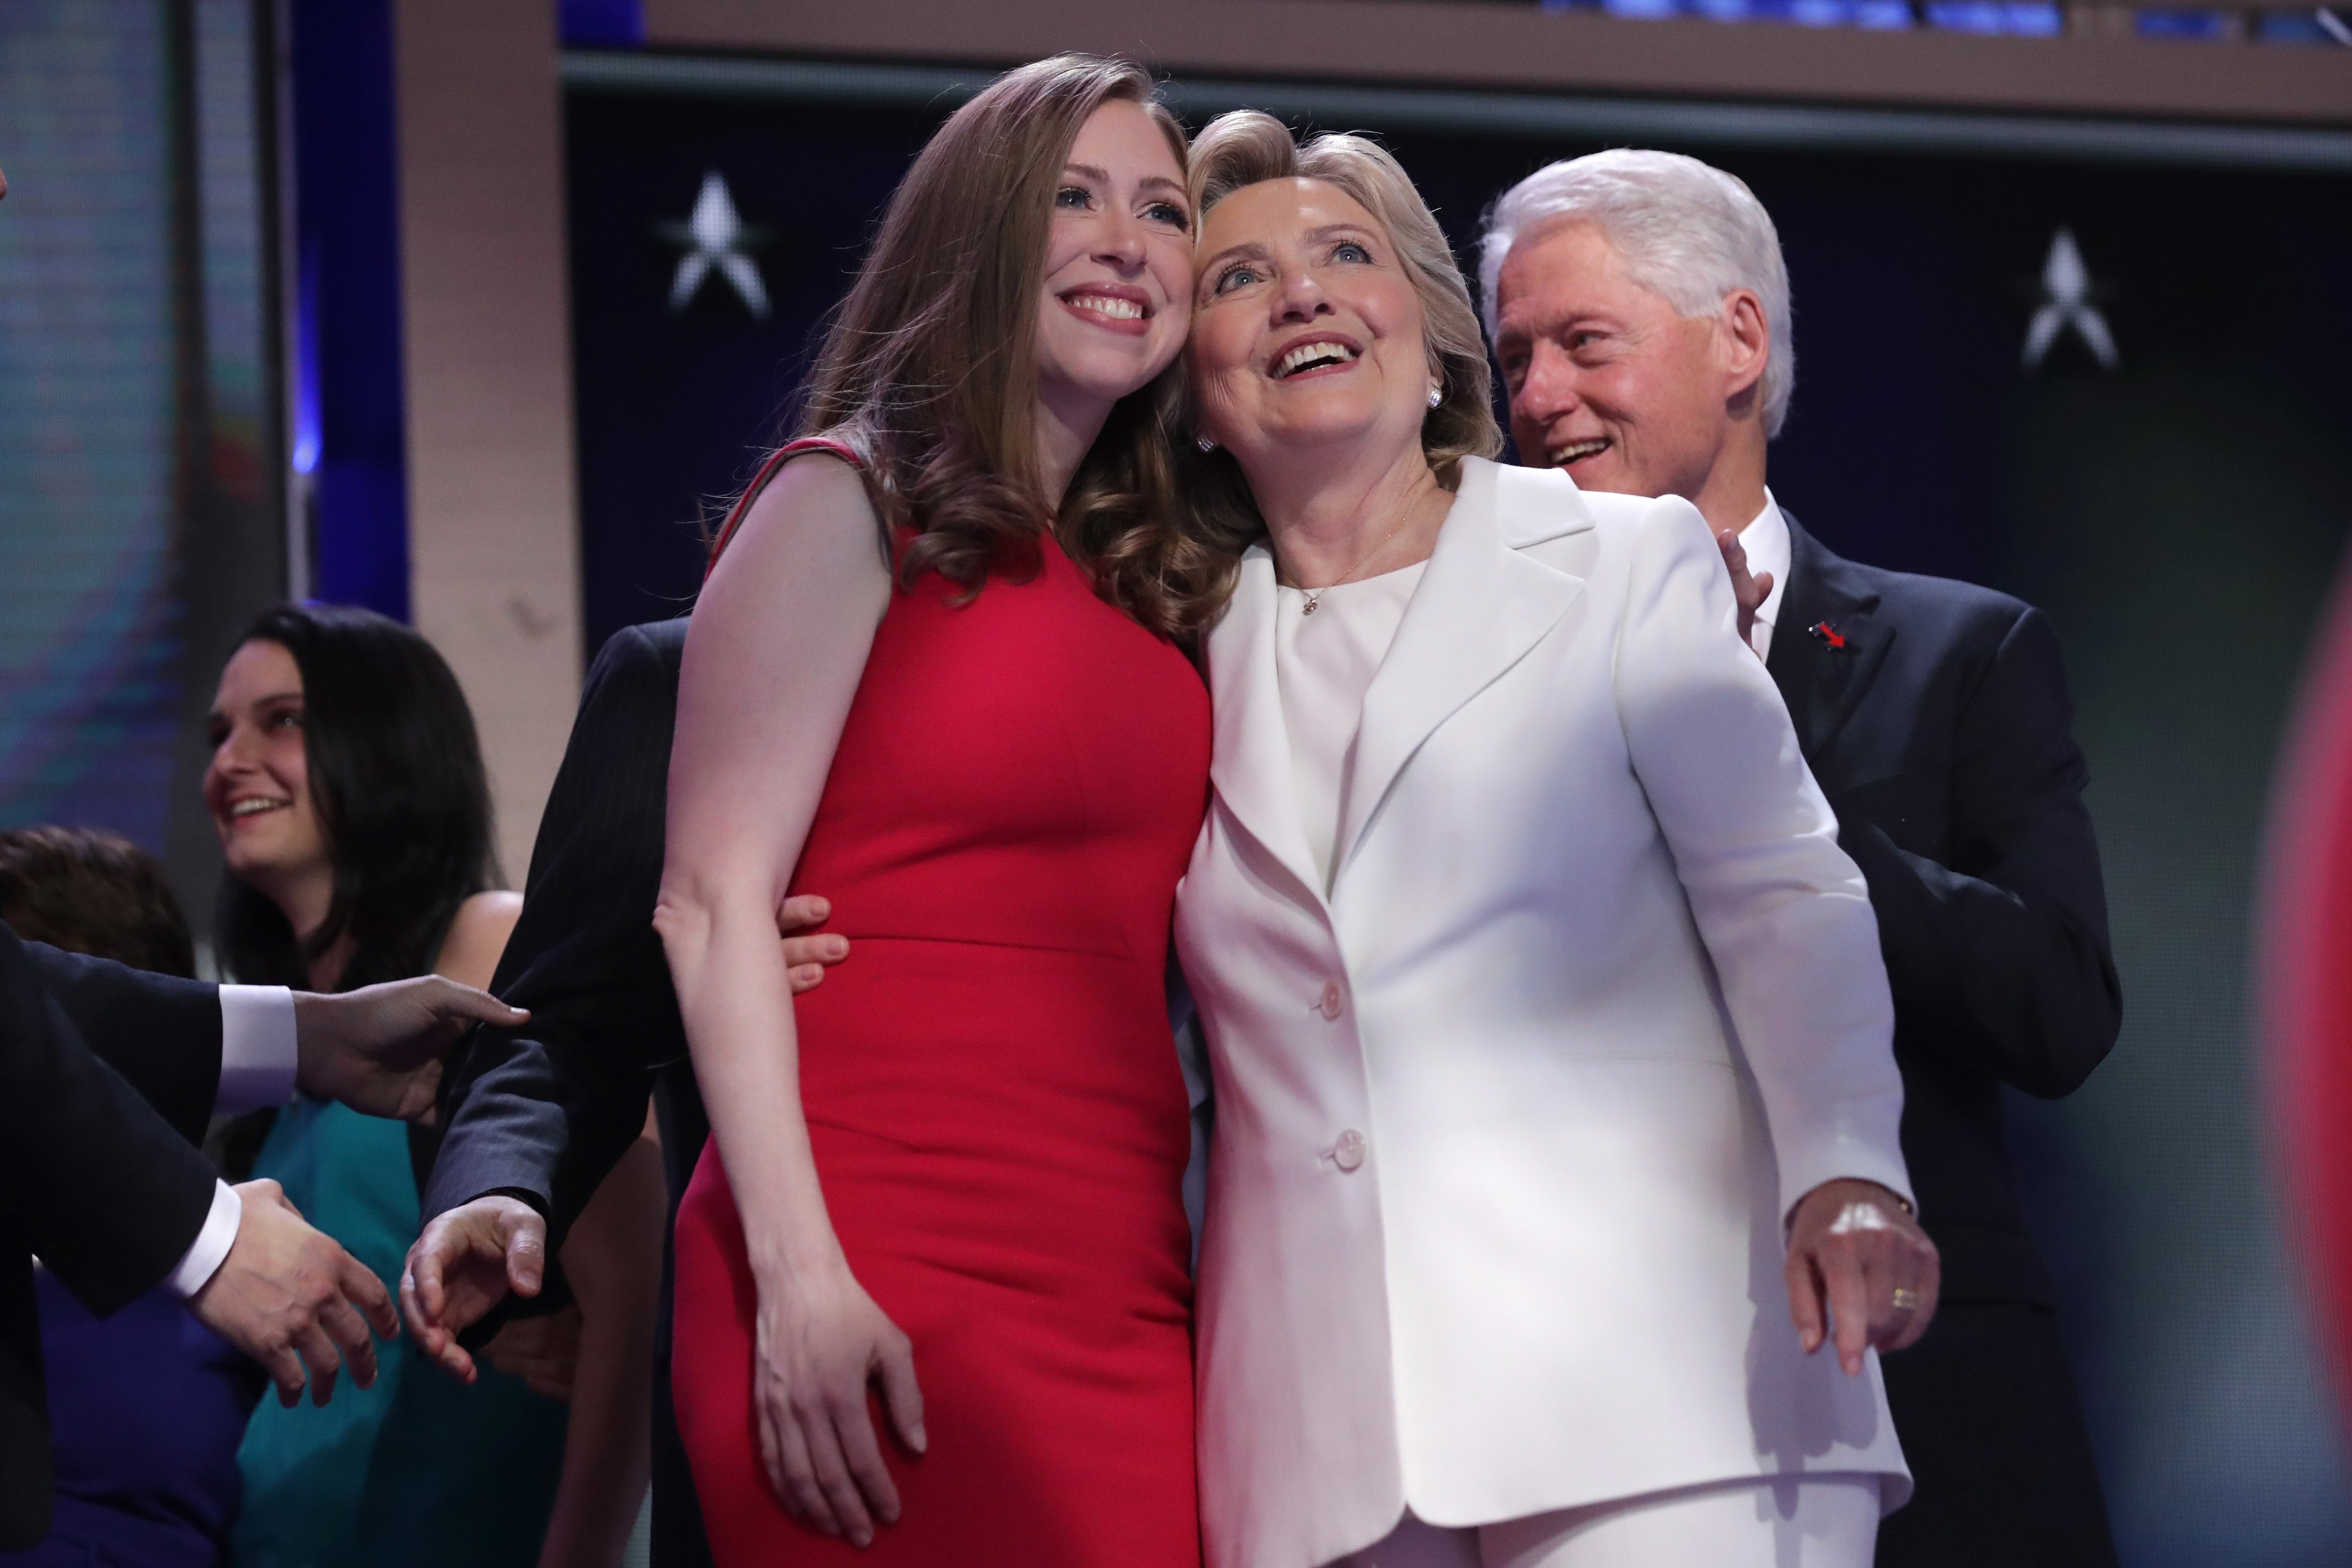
{"type": "Point", "coordinates": [1937, 721]}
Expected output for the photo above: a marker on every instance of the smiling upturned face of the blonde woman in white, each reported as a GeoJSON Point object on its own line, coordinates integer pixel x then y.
{"type": "Point", "coordinates": [1307, 328]}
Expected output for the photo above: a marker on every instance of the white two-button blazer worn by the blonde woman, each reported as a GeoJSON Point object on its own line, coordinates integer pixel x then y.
{"type": "Point", "coordinates": [1509, 1125]}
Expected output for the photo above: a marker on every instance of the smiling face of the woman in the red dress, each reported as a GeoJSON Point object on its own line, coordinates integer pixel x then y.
{"type": "Point", "coordinates": [1118, 264]}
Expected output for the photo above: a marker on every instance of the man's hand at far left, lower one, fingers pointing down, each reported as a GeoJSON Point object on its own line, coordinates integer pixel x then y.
{"type": "Point", "coordinates": [290, 1296]}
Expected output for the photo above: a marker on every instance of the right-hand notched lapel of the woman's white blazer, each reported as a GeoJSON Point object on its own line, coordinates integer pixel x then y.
{"type": "Point", "coordinates": [1478, 612]}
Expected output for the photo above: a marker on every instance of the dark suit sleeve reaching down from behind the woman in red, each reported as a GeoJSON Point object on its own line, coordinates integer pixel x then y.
{"type": "Point", "coordinates": [547, 1111]}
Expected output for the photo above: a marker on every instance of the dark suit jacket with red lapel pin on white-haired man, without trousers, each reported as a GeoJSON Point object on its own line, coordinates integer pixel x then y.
{"type": "Point", "coordinates": [1939, 723]}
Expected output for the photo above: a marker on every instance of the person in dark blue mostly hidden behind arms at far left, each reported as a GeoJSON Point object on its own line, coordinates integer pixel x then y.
{"type": "Point", "coordinates": [147, 1405]}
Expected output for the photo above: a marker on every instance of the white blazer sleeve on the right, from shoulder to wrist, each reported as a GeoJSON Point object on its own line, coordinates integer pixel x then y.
{"type": "Point", "coordinates": [1782, 909]}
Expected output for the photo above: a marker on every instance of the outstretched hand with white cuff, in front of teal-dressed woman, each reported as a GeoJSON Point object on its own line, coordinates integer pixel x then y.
{"type": "Point", "coordinates": [377, 1050]}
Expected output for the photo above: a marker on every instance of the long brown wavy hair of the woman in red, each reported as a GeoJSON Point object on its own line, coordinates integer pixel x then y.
{"type": "Point", "coordinates": [930, 366]}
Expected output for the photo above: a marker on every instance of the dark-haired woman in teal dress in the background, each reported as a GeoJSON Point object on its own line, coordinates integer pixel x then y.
{"type": "Point", "coordinates": [349, 793]}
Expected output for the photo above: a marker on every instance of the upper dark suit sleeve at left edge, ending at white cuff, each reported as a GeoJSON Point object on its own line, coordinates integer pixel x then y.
{"type": "Point", "coordinates": [161, 1033]}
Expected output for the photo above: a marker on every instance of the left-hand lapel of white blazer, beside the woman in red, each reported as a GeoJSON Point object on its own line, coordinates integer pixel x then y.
{"type": "Point", "coordinates": [1252, 763]}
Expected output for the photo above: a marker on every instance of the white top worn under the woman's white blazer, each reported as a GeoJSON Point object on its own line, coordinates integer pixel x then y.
{"type": "Point", "coordinates": [1325, 664]}
